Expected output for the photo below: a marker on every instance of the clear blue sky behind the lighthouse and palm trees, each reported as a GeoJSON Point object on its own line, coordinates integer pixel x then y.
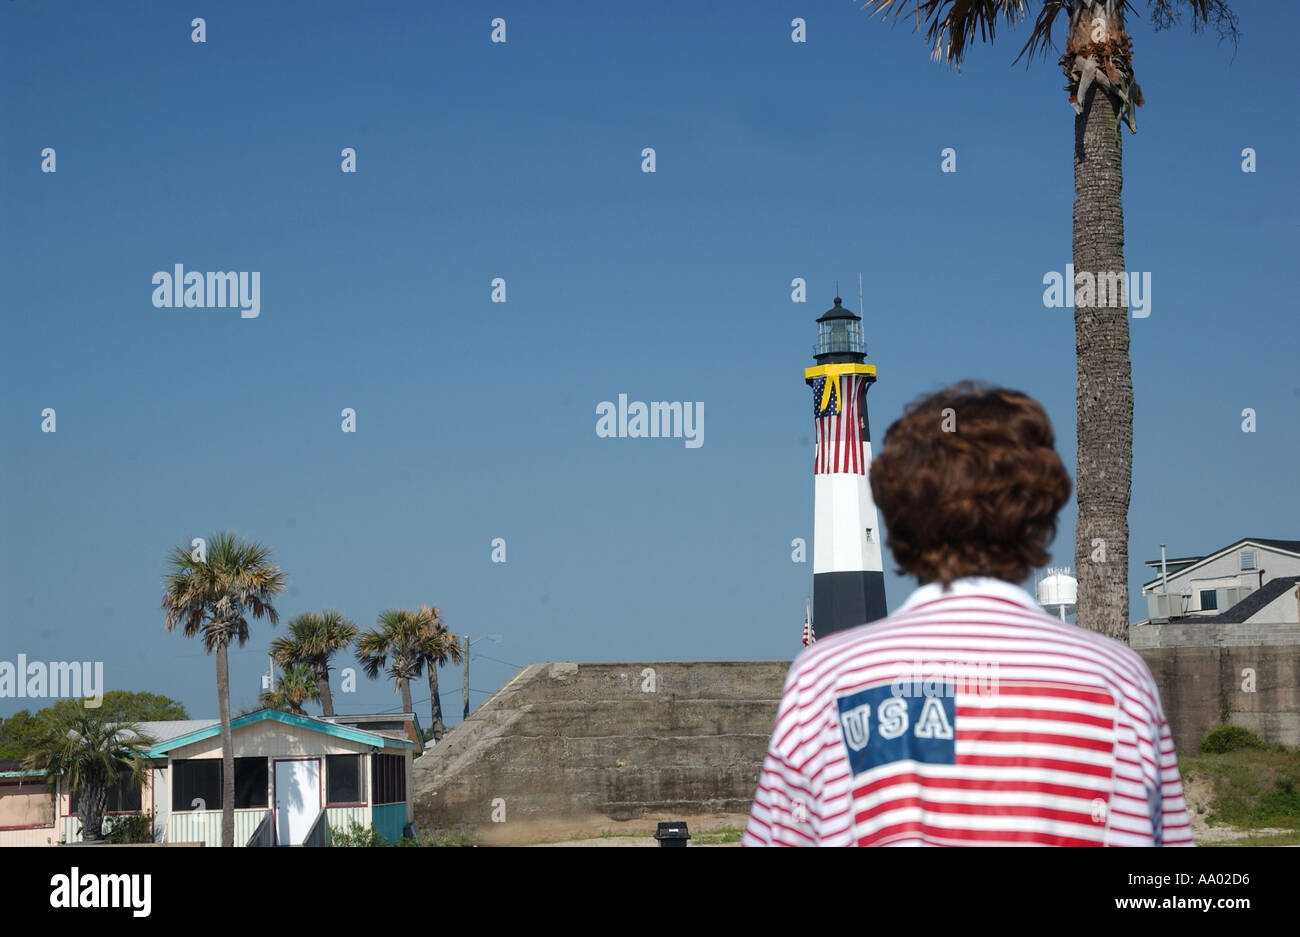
{"type": "Point", "coordinates": [476, 420]}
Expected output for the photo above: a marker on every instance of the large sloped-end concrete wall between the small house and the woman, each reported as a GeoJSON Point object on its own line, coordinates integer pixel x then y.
{"type": "Point", "coordinates": [569, 744]}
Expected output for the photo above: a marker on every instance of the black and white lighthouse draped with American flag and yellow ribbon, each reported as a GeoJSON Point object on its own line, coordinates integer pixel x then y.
{"type": "Point", "coordinates": [848, 575]}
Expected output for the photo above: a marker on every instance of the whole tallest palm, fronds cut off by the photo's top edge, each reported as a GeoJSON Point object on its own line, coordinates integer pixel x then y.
{"type": "Point", "coordinates": [1098, 64]}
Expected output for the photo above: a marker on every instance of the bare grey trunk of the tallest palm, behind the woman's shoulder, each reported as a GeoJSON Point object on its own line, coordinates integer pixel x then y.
{"type": "Point", "coordinates": [1104, 391]}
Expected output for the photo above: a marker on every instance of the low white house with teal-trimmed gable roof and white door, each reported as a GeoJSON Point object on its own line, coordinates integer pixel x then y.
{"type": "Point", "coordinates": [296, 777]}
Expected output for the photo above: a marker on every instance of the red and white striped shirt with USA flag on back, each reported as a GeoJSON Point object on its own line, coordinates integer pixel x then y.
{"type": "Point", "coordinates": [970, 717]}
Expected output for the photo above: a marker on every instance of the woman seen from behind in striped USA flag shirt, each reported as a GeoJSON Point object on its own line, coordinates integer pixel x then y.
{"type": "Point", "coordinates": [970, 717]}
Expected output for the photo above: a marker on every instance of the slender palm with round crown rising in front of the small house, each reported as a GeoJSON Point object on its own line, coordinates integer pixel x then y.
{"type": "Point", "coordinates": [214, 597]}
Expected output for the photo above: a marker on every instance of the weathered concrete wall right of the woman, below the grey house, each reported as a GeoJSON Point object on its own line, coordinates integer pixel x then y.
{"type": "Point", "coordinates": [1256, 684]}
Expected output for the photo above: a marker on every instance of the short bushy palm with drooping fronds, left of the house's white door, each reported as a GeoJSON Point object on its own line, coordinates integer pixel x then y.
{"type": "Point", "coordinates": [93, 753]}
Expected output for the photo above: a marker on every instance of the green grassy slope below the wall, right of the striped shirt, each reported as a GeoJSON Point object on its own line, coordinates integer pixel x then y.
{"type": "Point", "coordinates": [1253, 788]}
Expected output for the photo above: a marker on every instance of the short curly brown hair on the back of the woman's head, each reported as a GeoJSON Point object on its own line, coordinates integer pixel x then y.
{"type": "Point", "coordinates": [970, 484]}
